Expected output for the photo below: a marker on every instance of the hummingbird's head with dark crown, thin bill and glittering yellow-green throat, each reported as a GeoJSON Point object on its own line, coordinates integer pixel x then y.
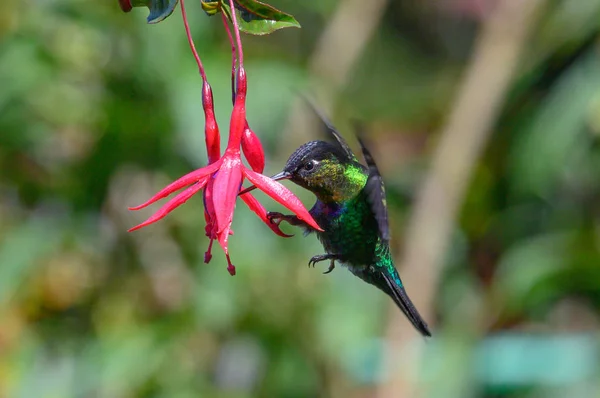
{"type": "Point", "coordinates": [326, 170]}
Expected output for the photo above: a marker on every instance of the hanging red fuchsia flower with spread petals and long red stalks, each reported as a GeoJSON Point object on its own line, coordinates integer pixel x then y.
{"type": "Point", "coordinates": [222, 178]}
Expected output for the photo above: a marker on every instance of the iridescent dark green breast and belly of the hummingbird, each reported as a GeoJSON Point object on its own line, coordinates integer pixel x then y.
{"type": "Point", "coordinates": [350, 230]}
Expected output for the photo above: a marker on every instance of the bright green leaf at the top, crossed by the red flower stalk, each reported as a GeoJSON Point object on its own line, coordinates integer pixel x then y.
{"type": "Point", "coordinates": [254, 17]}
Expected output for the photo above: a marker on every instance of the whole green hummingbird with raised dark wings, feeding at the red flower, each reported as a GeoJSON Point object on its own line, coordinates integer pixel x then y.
{"type": "Point", "coordinates": [351, 209]}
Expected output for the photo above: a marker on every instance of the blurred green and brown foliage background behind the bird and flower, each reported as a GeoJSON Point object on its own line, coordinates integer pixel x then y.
{"type": "Point", "coordinates": [99, 110]}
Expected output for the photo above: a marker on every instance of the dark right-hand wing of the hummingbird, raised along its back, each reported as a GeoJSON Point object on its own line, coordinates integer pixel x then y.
{"type": "Point", "coordinates": [376, 193]}
